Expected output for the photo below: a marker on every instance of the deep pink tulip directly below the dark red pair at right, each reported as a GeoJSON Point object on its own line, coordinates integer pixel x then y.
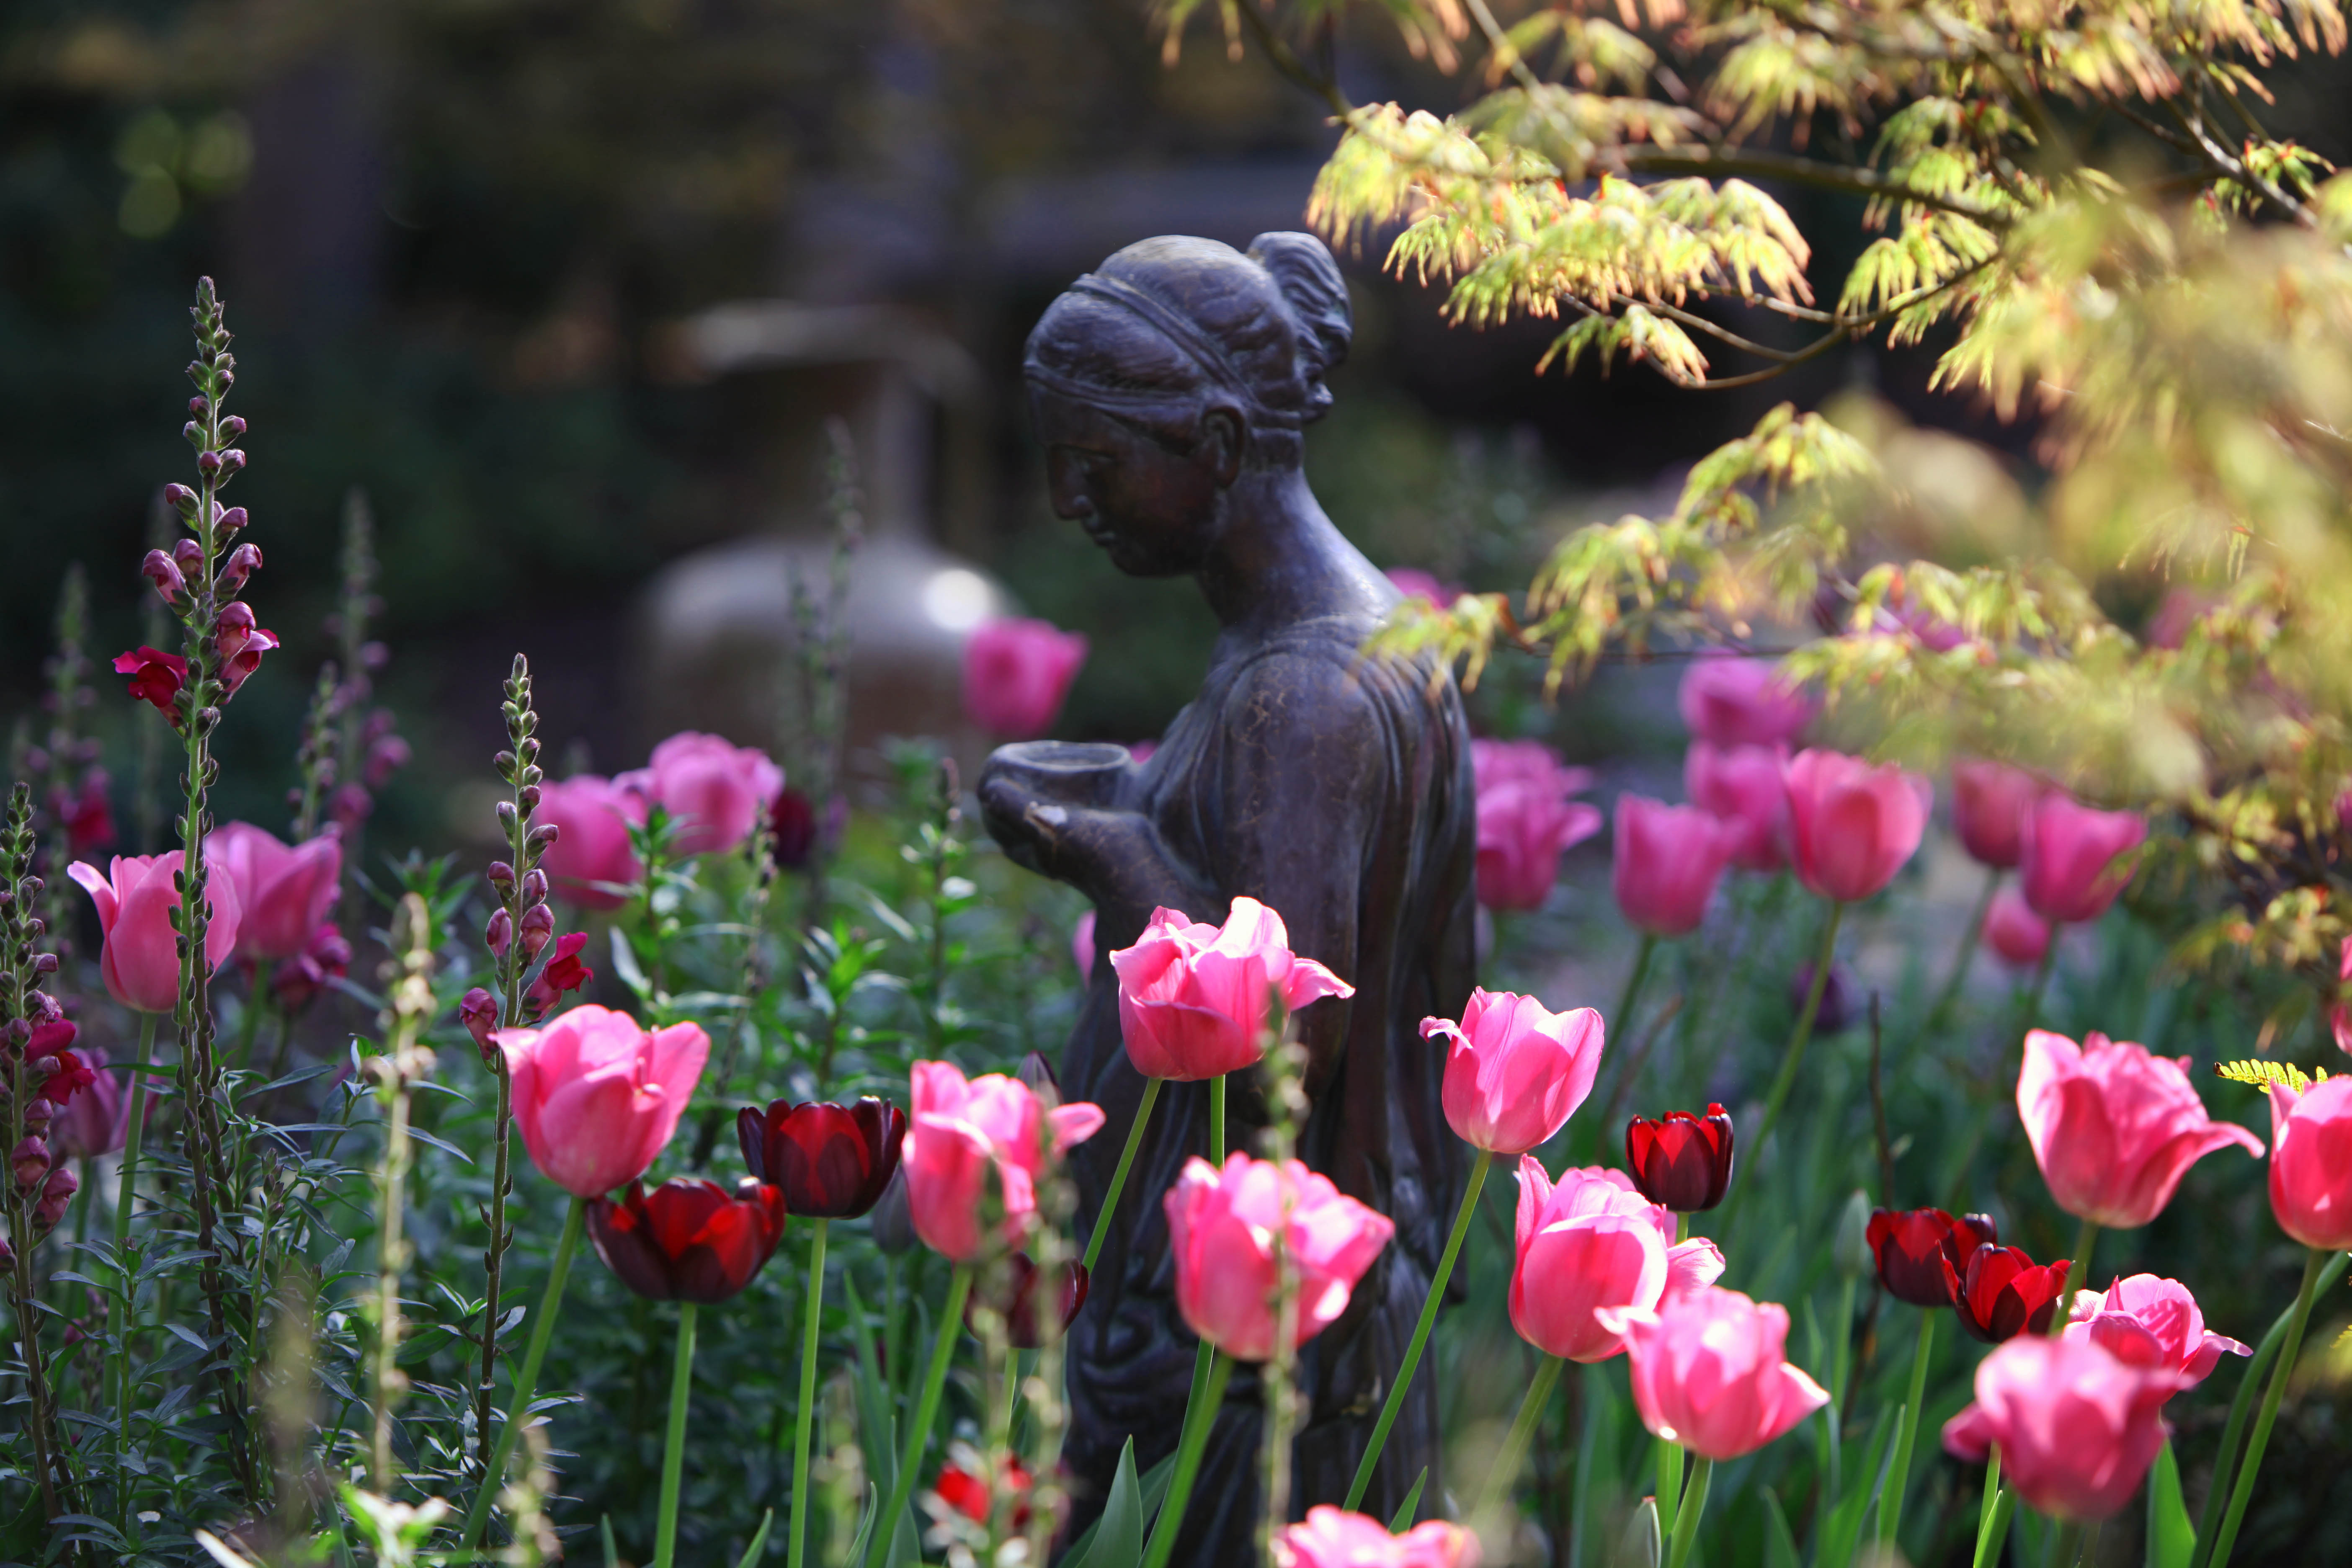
{"type": "Point", "coordinates": [2078, 1426]}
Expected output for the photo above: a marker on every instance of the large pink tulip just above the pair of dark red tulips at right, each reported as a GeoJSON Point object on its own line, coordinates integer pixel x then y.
{"type": "Point", "coordinates": [2116, 1127]}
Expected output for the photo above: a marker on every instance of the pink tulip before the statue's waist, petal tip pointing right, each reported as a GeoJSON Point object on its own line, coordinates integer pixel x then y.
{"type": "Point", "coordinates": [1194, 996]}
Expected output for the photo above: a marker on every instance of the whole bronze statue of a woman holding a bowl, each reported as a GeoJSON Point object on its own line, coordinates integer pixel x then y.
{"type": "Point", "coordinates": [1172, 389]}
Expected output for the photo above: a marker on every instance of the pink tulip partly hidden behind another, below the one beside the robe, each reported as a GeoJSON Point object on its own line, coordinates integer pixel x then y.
{"type": "Point", "coordinates": [1591, 1245]}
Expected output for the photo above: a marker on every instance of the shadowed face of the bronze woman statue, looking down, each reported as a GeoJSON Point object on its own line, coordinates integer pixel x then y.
{"type": "Point", "coordinates": [1151, 509]}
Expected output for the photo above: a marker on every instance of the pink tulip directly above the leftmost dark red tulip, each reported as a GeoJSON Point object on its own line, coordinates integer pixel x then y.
{"type": "Point", "coordinates": [599, 1094]}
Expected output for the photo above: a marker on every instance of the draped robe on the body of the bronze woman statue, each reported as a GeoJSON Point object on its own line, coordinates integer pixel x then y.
{"type": "Point", "coordinates": [1337, 791]}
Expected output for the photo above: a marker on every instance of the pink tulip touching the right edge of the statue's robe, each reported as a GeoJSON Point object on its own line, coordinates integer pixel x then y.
{"type": "Point", "coordinates": [1516, 1073]}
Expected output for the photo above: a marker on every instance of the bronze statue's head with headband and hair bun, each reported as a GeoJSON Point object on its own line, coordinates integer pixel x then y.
{"type": "Point", "coordinates": [1170, 373]}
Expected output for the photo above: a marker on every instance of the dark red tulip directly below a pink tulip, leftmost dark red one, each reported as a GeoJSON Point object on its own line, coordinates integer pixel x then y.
{"type": "Point", "coordinates": [688, 1240]}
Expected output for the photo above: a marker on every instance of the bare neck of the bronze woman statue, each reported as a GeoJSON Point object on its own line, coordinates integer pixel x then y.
{"type": "Point", "coordinates": [1281, 561]}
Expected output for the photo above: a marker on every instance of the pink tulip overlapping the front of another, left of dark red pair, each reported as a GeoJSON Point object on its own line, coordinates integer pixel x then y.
{"type": "Point", "coordinates": [1711, 1372]}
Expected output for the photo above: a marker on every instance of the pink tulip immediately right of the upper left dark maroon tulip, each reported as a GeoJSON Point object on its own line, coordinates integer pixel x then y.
{"type": "Point", "coordinates": [963, 1132]}
